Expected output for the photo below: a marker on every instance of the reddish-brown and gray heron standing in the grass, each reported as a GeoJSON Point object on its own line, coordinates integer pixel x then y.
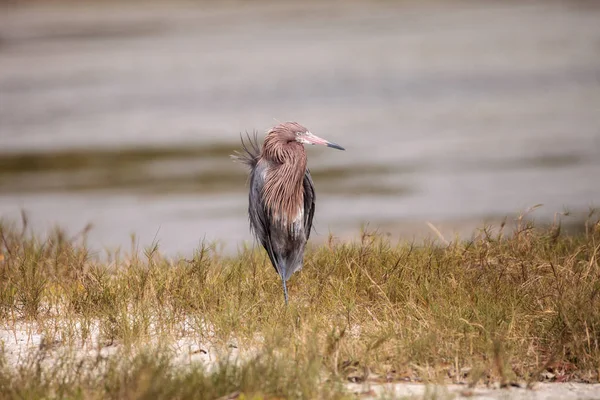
{"type": "Point", "coordinates": [282, 195]}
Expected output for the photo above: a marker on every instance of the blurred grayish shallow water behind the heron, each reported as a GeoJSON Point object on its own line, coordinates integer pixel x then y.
{"type": "Point", "coordinates": [451, 112]}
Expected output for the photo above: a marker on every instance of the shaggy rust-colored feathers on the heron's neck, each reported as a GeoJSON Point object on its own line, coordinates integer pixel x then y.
{"type": "Point", "coordinates": [283, 190]}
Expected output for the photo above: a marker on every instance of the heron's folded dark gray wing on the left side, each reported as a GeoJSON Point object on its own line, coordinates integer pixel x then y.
{"type": "Point", "coordinates": [257, 212]}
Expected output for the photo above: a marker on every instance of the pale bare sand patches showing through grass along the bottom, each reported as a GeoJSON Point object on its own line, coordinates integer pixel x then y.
{"type": "Point", "coordinates": [24, 340]}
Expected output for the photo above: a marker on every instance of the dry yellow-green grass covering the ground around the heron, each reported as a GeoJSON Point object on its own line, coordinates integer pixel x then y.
{"type": "Point", "coordinates": [499, 308]}
